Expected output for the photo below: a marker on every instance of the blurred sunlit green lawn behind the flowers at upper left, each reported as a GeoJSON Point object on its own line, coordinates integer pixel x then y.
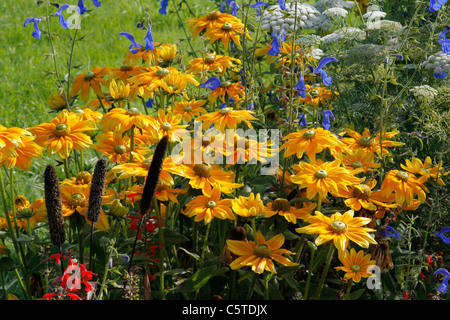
{"type": "Point", "coordinates": [24, 88]}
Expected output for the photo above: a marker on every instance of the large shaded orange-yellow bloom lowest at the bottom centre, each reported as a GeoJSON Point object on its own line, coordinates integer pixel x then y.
{"type": "Point", "coordinates": [259, 255]}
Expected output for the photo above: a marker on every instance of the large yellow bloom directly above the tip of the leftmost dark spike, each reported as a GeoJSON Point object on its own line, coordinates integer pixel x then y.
{"type": "Point", "coordinates": [64, 133]}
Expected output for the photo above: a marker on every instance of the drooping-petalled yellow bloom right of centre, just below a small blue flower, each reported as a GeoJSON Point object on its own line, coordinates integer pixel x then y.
{"type": "Point", "coordinates": [311, 141]}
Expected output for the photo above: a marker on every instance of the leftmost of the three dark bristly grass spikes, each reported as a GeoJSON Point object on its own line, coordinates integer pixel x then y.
{"type": "Point", "coordinates": [54, 206]}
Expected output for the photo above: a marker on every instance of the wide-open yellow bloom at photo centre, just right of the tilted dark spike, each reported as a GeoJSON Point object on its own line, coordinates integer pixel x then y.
{"type": "Point", "coordinates": [208, 176]}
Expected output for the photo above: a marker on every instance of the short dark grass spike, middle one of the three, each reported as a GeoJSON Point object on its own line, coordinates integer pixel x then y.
{"type": "Point", "coordinates": [97, 191]}
